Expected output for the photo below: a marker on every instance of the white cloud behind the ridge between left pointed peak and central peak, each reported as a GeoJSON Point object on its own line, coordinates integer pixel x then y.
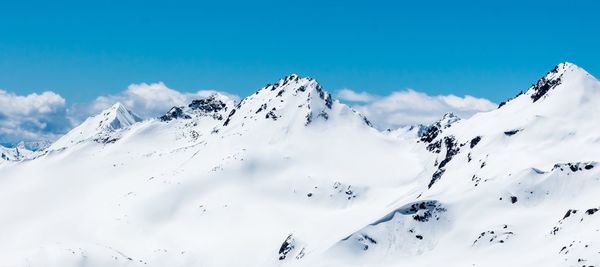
{"type": "Point", "coordinates": [146, 100]}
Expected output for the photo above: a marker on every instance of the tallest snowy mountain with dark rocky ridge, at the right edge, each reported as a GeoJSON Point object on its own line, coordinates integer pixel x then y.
{"type": "Point", "coordinates": [503, 182]}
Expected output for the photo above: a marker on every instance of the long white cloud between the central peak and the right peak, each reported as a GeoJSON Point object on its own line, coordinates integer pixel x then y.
{"type": "Point", "coordinates": [409, 107]}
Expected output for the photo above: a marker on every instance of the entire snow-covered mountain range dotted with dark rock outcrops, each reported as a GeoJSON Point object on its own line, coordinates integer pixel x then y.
{"type": "Point", "coordinates": [289, 176]}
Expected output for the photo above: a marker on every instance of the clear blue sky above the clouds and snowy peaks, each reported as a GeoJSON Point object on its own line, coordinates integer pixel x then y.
{"type": "Point", "coordinates": [481, 48]}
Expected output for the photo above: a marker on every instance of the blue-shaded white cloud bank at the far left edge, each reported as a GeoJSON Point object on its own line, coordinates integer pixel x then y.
{"type": "Point", "coordinates": [31, 117]}
